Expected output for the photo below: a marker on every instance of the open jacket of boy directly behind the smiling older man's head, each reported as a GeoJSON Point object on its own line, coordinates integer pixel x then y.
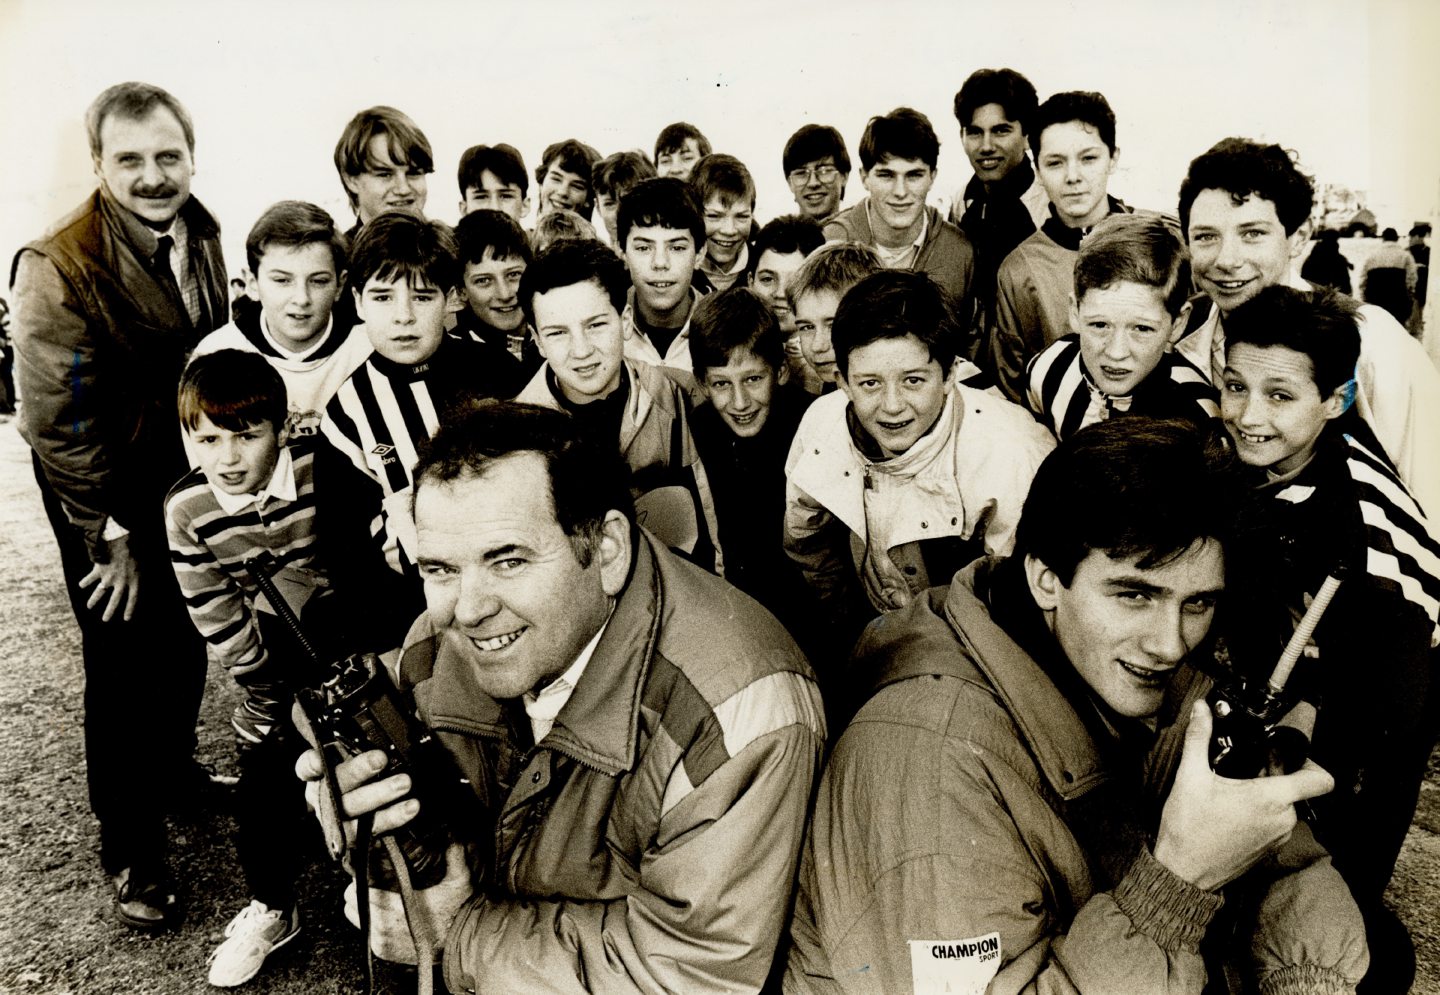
{"type": "Point", "coordinates": [669, 482]}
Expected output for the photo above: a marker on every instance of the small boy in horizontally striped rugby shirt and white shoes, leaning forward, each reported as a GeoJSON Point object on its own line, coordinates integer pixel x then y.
{"type": "Point", "coordinates": [253, 496]}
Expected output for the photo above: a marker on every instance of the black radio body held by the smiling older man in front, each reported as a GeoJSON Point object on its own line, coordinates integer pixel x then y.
{"type": "Point", "coordinates": [359, 709]}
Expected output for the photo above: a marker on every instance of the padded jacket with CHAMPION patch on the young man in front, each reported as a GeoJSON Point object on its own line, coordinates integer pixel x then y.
{"type": "Point", "coordinates": [944, 837]}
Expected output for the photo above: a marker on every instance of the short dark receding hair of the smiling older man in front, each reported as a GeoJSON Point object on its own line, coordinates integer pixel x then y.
{"type": "Point", "coordinates": [588, 479]}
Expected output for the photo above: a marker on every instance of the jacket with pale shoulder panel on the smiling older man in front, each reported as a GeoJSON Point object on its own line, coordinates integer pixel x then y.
{"type": "Point", "coordinates": [649, 843]}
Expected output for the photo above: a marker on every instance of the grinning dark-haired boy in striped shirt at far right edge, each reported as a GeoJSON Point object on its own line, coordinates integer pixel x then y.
{"type": "Point", "coordinates": [1328, 500]}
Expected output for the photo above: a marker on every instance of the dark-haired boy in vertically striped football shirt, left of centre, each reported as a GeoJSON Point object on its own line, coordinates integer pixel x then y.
{"type": "Point", "coordinates": [404, 273]}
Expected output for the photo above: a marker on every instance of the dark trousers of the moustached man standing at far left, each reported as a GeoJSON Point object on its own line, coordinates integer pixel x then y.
{"type": "Point", "coordinates": [143, 686]}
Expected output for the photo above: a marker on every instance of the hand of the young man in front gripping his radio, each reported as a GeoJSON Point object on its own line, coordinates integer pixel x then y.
{"type": "Point", "coordinates": [1213, 829]}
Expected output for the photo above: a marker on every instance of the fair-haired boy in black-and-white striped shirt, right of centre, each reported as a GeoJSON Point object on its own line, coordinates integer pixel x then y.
{"type": "Point", "coordinates": [1130, 307]}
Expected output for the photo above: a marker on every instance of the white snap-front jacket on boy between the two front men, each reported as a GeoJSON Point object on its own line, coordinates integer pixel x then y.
{"type": "Point", "coordinates": [971, 489]}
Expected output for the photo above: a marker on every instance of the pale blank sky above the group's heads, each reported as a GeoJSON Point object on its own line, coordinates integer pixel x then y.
{"type": "Point", "coordinates": [1351, 86]}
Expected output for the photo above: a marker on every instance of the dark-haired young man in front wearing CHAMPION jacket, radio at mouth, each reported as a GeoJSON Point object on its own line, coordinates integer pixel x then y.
{"type": "Point", "coordinates": [1026, 801]}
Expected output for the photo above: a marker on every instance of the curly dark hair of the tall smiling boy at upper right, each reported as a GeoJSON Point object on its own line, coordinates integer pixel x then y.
{"type": "Point", "coordinates": [1246, 169]}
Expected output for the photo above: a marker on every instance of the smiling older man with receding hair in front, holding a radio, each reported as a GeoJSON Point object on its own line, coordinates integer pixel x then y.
{"type": "Point", "coordinates": [642, 738]}
